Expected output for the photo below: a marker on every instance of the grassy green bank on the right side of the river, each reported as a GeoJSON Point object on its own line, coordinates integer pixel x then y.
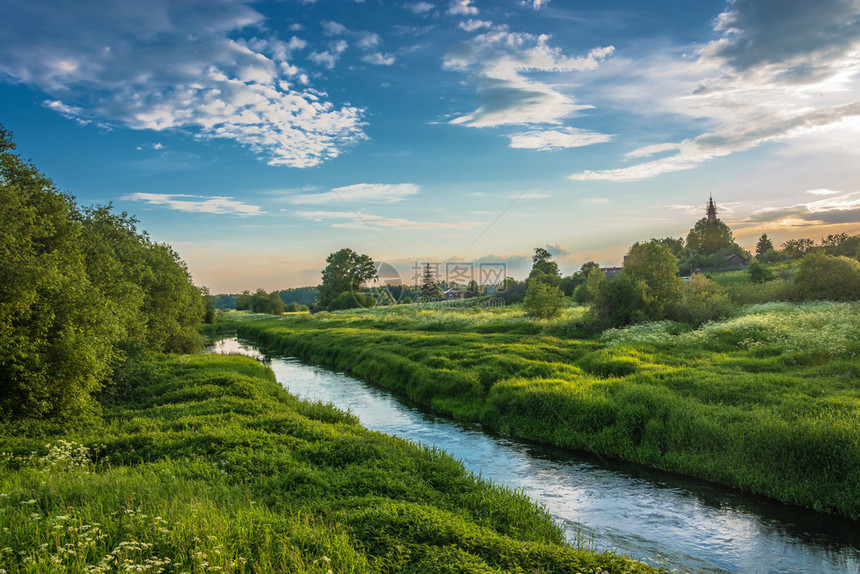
{"type": "Point", "coordinates": [767, 401]}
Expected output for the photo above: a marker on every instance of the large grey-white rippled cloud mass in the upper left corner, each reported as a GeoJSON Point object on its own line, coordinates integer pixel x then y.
{"type": "Point", "coordinates": [209, 68]}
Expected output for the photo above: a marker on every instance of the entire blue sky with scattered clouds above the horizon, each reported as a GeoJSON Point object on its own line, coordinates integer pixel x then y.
{"type": "Point", "coordinates": [258, 137]}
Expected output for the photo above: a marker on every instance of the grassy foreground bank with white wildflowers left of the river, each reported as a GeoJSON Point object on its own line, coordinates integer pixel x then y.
{"type": "Point", "coordinates": [205, 464]}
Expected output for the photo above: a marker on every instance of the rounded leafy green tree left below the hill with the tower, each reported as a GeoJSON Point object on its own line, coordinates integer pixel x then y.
{"type": "Point", "coordinates": [654, 266]}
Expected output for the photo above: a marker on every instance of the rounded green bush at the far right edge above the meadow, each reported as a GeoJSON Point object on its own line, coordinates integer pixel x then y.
{"type": "Point", "coordinates": [823, 276]}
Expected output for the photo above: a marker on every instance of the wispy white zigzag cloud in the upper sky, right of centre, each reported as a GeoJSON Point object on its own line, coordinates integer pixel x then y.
{"type": "Point", "coordinates": [499, 61]}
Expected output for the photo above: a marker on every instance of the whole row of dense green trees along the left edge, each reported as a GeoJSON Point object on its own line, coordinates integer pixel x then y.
{"type": "Point", "coordinates": [82, 291]}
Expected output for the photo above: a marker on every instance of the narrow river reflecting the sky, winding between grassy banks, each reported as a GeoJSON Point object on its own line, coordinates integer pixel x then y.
{"type": "Point", "coordinates": [657, 517]}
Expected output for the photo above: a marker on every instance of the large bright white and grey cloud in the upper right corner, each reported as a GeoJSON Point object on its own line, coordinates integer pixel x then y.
{"type": "Point", "coordinates": [784, 72]}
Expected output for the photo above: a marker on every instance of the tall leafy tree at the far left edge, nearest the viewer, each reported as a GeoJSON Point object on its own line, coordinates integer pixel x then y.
{"type": "Point", "coordinates": [56, 340]}
